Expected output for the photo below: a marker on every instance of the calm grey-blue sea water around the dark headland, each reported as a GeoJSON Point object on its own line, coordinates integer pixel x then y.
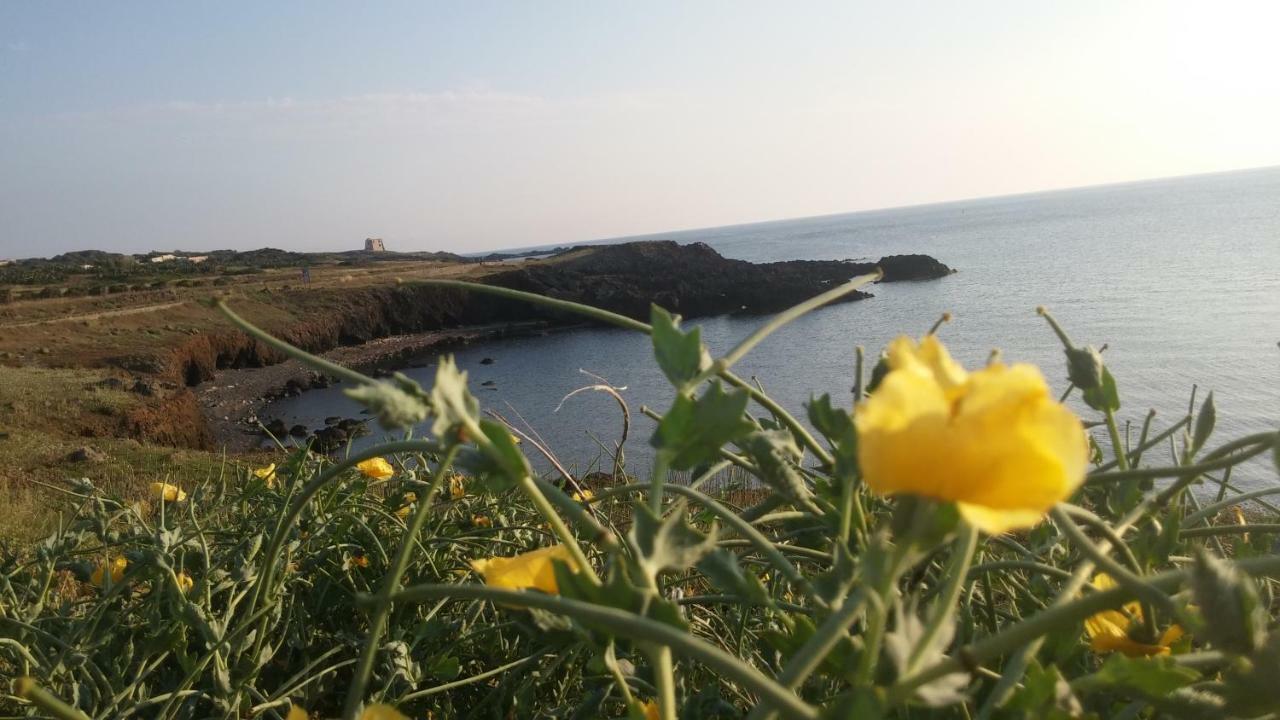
{"type": "Point", "coordinates": [1181, 277]}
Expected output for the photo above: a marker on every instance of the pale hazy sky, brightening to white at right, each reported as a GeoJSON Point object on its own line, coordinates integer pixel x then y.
{"type": "Point", "coordinates": [467, 126]}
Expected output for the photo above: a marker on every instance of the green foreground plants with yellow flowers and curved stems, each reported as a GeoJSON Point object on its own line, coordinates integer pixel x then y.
{"type": "Point", "coordinates": [958, 544]}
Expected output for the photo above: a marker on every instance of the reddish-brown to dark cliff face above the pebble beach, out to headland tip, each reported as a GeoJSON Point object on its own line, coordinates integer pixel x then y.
{"type": "Point", "coordinates": [692, 280]}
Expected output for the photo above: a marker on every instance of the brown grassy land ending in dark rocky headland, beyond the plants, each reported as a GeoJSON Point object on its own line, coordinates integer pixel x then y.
{"type": "Point", "coordinates": [117, 366]}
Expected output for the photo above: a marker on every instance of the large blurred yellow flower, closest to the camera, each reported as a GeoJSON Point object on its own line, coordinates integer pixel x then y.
{"type": "Point", "coordinates": [993, 441]}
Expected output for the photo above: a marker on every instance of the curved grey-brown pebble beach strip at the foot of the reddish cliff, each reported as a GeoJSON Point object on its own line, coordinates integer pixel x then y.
{"type": "Point", "coordinates": [235, 400]}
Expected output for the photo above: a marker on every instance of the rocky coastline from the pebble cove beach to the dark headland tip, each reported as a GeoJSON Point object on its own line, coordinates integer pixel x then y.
{"type": "Point", "coordinates": [692, 280]}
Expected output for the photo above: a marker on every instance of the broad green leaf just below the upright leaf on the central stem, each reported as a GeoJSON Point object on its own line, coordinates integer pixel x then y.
{"type": "Point", "coordinates": [694, 430]}
